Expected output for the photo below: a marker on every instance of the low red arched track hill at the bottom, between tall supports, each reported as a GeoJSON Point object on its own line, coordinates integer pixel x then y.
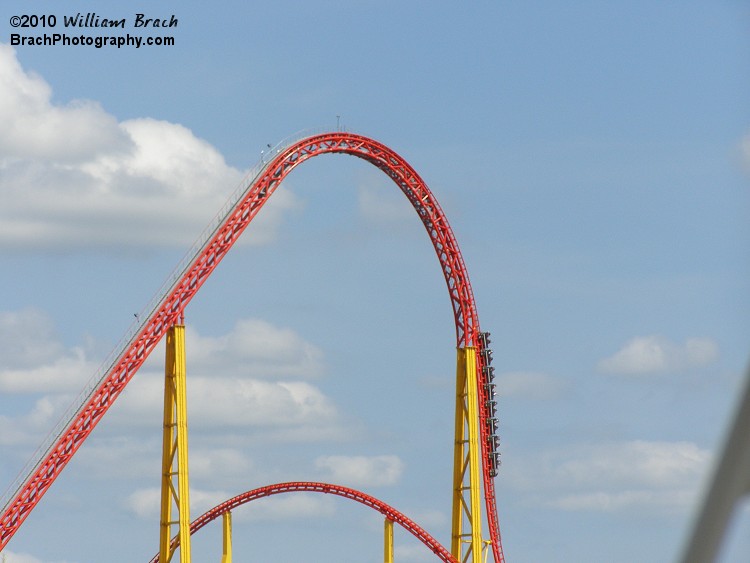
{"type": "Point", "coordinates": [294, 487]}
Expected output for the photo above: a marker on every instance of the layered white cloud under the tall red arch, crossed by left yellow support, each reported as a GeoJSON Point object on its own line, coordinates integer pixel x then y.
{"type": "Point", "coordinates": [226, 389]}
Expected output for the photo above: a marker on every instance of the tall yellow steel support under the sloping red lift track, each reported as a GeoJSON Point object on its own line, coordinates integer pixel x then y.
{"type": "Point", "coordinates": [174, 483]}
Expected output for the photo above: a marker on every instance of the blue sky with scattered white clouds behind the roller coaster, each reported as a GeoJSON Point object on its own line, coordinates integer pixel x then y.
{"type": "Point", "coordinates": [593, 159]}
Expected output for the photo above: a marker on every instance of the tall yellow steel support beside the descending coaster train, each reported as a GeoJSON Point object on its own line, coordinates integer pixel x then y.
{"type": "Point", "coordinates": [466, 536]}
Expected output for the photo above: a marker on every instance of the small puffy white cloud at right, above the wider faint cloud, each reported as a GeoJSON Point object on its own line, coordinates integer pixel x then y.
{"type": "Point", "coordinates": [656, 354]}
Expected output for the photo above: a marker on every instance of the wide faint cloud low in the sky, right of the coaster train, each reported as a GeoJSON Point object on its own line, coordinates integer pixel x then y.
{"type": "Point", "coordinates": [654, 476]}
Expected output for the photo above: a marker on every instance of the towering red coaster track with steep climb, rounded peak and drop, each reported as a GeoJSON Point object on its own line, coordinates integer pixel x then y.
{"type": "Point", "coordinates": [201, 264]}
